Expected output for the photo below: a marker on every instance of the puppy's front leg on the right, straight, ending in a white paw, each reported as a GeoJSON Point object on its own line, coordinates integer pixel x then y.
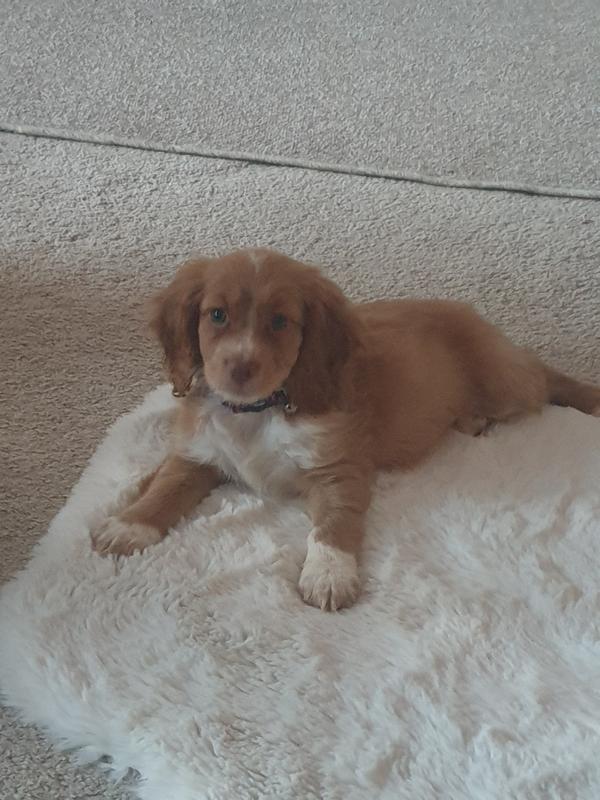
{"type": "Point", "coordinates": [337, 504]}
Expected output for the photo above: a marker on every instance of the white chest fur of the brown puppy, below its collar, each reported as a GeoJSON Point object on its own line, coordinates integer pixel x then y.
{"type": "Point", "coordinates": [265, 450]}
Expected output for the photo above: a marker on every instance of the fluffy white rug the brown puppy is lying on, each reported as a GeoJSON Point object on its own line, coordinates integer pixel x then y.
{"type": "Point", "coordinates": [470, 668]}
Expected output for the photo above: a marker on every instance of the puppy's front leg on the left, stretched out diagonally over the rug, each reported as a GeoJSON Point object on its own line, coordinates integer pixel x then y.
{"type": "Point", "coordinates": [174, 490]}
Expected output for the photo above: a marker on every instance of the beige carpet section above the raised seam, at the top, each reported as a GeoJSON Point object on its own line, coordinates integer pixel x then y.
{"type": "Point", "coordinates": [468, 89]}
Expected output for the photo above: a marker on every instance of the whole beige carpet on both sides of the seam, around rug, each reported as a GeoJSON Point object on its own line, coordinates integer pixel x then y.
{"type": "Point", "coordinates": [86, 232]}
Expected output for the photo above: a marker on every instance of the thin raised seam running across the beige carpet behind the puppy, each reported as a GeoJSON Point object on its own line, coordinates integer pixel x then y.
{"type": "Point", "coordinates": [106, 140]}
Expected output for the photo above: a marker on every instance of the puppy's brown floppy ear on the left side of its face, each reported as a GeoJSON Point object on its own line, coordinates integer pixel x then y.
{"type": "Point", "coordinates": [174, 318]}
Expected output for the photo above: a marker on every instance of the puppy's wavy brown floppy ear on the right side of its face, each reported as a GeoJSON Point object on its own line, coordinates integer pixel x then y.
{"type": "Point", "coordinates": [329, 335]}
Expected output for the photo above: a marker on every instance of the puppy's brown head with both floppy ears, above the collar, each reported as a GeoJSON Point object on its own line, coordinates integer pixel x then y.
{"type": "Point", "coordinates": [255, 321]}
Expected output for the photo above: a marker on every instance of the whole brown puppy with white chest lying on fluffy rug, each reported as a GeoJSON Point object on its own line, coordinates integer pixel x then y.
{"type": "Point", "coordinates": [289, 388]}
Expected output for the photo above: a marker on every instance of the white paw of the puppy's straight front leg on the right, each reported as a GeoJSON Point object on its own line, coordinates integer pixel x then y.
{"type": "Point", "coordinates": [329, 578]}
